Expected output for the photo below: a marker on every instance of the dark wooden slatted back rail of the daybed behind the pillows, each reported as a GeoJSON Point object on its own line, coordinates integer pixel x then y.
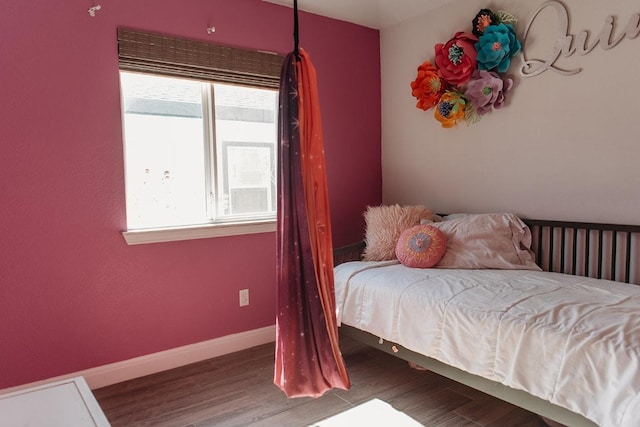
{"type": "Point", "coordinates": [603, 251]}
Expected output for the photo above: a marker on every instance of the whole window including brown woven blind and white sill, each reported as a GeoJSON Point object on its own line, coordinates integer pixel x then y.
{"type": "Point", "coordinates": [200, 146]}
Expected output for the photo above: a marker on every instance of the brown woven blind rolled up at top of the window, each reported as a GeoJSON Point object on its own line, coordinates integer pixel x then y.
{"type": "Point", "coordinates": [177, 57]}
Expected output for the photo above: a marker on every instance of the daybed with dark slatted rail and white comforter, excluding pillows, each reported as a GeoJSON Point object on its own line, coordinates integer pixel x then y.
{"type": "Point", "coordinates": [560, 338]}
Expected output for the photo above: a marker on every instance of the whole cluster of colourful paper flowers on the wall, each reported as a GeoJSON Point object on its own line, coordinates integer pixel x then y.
{"type": "Point", "coordinates": [466, 79]}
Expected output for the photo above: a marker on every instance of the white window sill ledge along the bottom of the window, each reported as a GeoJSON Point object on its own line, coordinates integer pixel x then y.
{"type": "Point", "coordinates": [157, 235]}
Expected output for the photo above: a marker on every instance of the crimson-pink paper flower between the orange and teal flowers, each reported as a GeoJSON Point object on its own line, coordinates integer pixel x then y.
{"type": "Point", "coordinates": [456, 59]}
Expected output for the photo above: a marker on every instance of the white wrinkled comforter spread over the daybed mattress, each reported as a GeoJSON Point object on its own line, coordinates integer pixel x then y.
{"type": "Point", "coordinates": [571, 340]}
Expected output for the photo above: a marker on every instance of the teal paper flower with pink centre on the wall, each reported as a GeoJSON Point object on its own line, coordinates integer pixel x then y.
{"type": "Point", "coordinates": [496, 47]}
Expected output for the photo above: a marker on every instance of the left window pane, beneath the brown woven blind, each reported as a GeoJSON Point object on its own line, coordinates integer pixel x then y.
{"type": "Point", "coordinates": [164, 151]}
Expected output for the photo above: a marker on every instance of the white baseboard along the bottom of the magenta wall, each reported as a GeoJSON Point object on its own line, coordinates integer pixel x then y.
{"type": "Point", "coordinates": [113, 373]}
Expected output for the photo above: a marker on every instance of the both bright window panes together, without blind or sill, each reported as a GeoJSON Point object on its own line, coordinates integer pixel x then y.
{"type": "Point", "coordinates": [187, 163]}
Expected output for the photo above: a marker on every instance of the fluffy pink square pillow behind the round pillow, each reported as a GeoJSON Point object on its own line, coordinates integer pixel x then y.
{"type": "Point", "coordinates": [384, 224]}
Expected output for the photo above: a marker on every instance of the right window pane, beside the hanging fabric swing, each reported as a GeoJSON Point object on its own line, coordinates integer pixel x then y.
{"type": "Point", "coordinates": [246, 134]}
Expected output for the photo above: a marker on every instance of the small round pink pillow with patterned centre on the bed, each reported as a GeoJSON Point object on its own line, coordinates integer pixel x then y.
{"type": "Point", "coordinates": [421, 246]}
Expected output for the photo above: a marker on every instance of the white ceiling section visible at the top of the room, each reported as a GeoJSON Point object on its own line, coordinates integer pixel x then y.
{"type": "Point", "coordinates": [376, 14]}
